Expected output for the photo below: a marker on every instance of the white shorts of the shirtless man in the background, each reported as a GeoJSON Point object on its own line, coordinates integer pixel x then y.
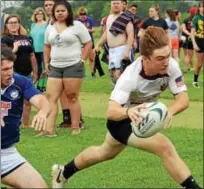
{"type": "Point", "coordinates": [116, 54]}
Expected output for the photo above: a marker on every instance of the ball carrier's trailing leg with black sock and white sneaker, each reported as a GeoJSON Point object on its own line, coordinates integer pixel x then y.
{"type": "Point", "coordinates": [90, 156]}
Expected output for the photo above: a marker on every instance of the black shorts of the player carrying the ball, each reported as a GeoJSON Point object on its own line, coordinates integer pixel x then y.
{"type": "Point", "coordinates": [120, 130]}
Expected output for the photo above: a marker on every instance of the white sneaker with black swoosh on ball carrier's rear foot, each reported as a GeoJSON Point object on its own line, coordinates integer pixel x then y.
{"type": "Point", "coordinates": [58, 179]}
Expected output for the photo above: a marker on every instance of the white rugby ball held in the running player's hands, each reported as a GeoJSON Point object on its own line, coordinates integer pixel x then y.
{"type": "Point", "coordinates": [154, 118]}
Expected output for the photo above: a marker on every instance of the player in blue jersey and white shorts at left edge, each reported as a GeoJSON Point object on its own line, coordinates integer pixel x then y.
{"type": "Point", "coordinates": [14, 89]}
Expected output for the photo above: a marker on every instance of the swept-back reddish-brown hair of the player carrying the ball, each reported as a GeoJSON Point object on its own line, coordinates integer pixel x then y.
{"type": "Point", "coordinates": [152, 39]}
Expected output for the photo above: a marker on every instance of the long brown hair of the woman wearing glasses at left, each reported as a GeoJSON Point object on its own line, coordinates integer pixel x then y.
{"type": "Point", "coordinates": [21, 30]}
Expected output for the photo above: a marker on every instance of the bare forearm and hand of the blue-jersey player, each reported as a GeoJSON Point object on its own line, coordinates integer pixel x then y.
{"type": "Point", "coordinates": [40, 119]}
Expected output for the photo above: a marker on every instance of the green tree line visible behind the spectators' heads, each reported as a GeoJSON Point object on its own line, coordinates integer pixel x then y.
{"type": "Point", "coordinates": [97, 9]}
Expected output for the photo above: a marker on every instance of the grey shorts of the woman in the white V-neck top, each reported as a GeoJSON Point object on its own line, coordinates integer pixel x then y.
{"type": "Point", "coordinates": [74, 71]}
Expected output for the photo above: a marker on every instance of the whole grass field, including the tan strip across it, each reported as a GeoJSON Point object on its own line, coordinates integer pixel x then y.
{"type": "Point", "coordinates": [132, 168]}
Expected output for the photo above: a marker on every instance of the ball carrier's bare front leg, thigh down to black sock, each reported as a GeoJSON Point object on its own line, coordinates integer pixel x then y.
{"type": "Point", "coordinates": [161, 146]}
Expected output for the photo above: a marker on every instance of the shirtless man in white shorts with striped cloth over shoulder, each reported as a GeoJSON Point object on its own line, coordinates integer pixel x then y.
{"type": "Point", "coordinates": [119, 35]}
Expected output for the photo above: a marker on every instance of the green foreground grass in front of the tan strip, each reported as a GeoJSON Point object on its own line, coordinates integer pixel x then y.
{"type": "Point", "coordinates": [131, 169]}
